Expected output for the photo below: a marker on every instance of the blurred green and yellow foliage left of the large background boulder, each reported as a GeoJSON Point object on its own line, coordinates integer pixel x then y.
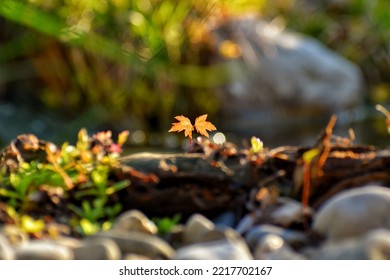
{"type": "Point", "coordinates": [130, 59]}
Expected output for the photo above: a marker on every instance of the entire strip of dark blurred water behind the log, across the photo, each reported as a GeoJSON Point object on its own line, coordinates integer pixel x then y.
{"type": "Point", "coordinates": [369, 127]}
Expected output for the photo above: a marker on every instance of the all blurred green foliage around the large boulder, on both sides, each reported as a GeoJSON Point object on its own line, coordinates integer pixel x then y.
{"type": "Point", "coordinates": [112, 61]}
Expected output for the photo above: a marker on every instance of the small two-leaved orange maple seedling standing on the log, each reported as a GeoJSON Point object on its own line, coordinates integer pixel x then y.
{"type": "Point", "coordinates": [201, 126]}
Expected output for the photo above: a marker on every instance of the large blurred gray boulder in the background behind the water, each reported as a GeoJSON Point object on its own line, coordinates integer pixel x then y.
{"type": "Point", "coordinates": [281, 74]}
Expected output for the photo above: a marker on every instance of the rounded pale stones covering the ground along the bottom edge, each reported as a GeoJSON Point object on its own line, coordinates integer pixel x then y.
{"type": "Point", "coordinates": [354, 223]}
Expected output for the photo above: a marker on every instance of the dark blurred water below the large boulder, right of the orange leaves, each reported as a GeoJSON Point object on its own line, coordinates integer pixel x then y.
{"type": "Point", "coordinates": [368, 125]}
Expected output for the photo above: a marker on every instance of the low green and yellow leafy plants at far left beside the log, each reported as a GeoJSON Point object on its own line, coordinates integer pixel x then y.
{"type": "Point", "coordinates": [75, 179]}
